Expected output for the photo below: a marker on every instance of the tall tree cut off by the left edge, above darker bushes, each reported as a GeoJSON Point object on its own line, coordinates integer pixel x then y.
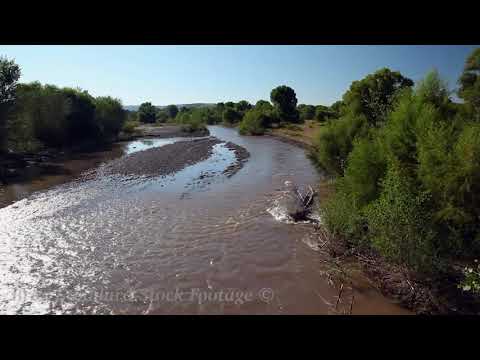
{"type": "Point", "coordinates": [9, 75]}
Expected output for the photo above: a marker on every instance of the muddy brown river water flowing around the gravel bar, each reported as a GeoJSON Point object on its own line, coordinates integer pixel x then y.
{"type": "Point", "coordinates": [196, 242]}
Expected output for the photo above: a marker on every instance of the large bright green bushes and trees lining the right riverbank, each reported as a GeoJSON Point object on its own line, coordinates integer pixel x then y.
{"type": "Point", "coordinates": [408, 167]}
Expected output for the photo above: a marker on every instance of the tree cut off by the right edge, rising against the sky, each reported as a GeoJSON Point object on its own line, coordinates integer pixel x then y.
{"type": "Point", "coordinates": [470, 82]}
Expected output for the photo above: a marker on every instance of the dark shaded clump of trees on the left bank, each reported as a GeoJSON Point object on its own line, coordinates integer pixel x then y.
{"type": "Point", "coordinates": [35, 115]}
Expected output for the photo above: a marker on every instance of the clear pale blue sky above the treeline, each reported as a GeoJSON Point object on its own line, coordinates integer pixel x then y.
{"type": "Point", "coordinates": [186, 74]}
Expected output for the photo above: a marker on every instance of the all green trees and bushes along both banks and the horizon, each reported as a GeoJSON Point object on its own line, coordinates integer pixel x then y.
{"type": "Point", "coordinates": [404, 158]}
